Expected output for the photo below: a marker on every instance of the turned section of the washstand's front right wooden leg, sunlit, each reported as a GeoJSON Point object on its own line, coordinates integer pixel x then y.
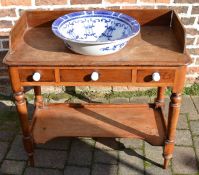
{"type": "Point", "coordinates": [174, 110]}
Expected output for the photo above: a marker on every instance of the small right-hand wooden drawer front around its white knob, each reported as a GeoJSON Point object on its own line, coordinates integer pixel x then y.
{"type": "Point", "coordinates": [146, 75]}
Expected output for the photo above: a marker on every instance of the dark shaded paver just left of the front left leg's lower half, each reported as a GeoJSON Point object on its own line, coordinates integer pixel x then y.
{"type": "Point", "coordinates": [17, 151]}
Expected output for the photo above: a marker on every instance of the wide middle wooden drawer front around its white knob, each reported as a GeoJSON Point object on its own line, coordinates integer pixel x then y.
{"type": "Point", "coordinates": [104, 75]}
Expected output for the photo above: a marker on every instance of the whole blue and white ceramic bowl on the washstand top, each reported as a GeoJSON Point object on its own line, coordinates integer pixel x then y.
{"type": "Point", "coordinates": [97, 32]}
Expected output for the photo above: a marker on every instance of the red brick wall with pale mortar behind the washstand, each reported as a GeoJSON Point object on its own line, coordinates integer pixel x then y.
{"type": "Point", "coordinates": [188, 11]}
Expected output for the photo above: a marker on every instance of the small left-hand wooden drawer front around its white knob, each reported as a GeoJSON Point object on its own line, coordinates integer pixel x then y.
{"type": "Point", "coordinates": [46, 75]}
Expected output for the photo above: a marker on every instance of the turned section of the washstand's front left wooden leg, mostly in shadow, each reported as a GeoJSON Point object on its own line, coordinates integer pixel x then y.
{"type": "Point", "coordinates": [23, 116]}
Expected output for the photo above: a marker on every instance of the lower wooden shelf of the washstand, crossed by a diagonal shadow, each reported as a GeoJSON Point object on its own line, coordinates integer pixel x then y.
{"type": "Point", "coordinates": [99, 120]}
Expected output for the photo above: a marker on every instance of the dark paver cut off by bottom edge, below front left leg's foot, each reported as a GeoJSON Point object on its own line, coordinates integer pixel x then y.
{"type": "Point", "coordinates": [41, 171]}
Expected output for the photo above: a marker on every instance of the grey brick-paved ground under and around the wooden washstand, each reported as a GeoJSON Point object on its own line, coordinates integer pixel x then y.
{"type": "Point", "coordinates": [87, 156]}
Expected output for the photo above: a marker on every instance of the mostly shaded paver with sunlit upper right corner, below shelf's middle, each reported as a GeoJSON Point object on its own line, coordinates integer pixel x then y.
{"type": "Point", "coordinates": [106, 157]}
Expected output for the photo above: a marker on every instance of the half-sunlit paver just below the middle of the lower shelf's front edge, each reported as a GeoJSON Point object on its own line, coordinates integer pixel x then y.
{"type": "Point", "coordinates": [107, 144]}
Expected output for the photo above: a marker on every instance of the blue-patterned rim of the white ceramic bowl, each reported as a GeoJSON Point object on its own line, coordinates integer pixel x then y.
{"type": "Point", "coordinates": [85, 13]}
